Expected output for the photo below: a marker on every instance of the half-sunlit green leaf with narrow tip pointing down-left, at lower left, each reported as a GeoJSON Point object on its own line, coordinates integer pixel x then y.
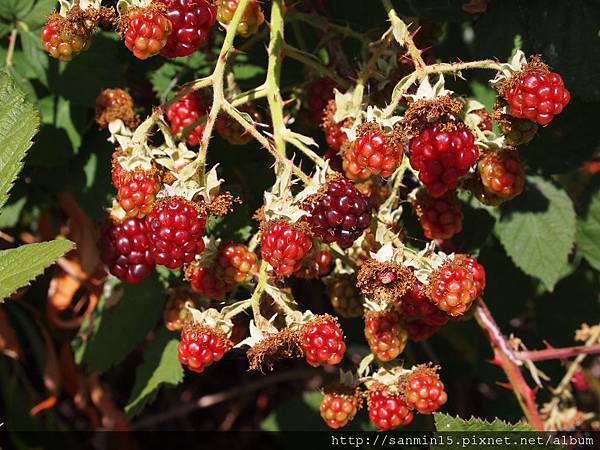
{"type": "Point", "coordinates": [161, 366]}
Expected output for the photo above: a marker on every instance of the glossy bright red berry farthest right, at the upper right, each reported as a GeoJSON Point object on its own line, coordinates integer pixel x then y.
{"type": "Point", "coordinates": [537, 96]}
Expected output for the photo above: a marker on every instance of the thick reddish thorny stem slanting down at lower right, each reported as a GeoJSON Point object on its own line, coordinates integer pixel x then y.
{"type": "Point", "coordinates": [506, 358]}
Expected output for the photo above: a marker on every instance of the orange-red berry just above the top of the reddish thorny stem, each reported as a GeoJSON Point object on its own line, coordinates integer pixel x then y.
{"type": "Point", "coordinates": [453, 289]}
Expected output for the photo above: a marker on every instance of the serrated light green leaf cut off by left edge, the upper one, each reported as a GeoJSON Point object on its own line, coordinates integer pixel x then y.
{"type": "Point", "coordinates": [19, 122]}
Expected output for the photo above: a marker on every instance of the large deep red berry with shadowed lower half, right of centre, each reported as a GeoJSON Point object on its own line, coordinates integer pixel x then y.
{"type": "Point", "coordinates": [442, 154]}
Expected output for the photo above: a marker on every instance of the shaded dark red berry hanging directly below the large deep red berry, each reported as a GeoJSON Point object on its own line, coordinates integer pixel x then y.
{"type": "Point", "coordinates": [440, 217]}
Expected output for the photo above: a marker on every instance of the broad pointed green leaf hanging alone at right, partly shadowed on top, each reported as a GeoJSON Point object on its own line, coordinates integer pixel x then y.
{"type": "Point", "coordinates": [537, 230]}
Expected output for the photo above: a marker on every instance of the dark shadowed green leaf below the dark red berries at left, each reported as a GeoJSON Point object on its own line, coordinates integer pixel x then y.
{"type": "Point", "coordinates": [118, 329]}
